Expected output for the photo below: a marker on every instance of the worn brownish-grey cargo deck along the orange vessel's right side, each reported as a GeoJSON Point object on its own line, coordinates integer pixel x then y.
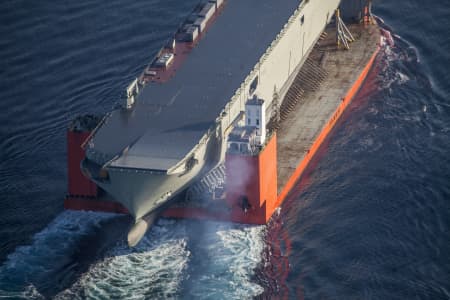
{"type": "Point", "coordinates": [302, 126]}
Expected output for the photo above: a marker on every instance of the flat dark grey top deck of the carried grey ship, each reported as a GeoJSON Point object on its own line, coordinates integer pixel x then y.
{"type": "Point", "coordinates": [169, 119]}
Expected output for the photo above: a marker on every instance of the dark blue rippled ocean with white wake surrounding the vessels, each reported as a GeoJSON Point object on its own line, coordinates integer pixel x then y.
{"type": "Point", "coordinates": [369, 220]}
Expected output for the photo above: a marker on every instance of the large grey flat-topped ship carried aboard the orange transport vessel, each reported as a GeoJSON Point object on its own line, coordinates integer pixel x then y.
{"type": "Point", "coordinates": [220, 78]}
